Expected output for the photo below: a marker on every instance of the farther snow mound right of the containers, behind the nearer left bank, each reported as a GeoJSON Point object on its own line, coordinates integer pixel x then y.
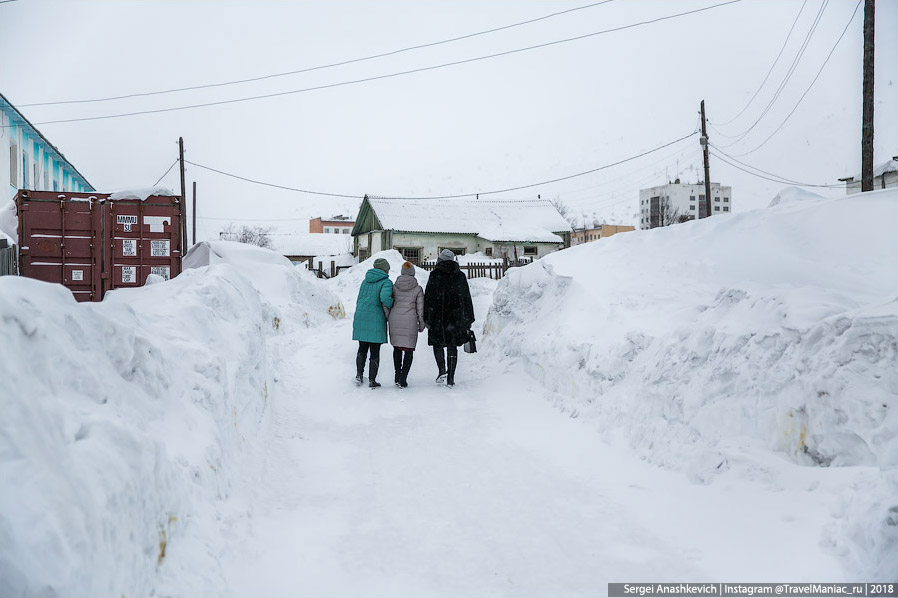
{"type": "Point", "coordinates": [287, 292]}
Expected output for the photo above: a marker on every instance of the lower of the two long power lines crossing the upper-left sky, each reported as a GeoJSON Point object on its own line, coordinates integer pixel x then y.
{"type": "Point", "coordinates": [390, 75]}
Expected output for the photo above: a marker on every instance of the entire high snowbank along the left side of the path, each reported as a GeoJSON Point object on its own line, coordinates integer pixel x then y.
{"type": "Point", "coordinates": [131, 427]}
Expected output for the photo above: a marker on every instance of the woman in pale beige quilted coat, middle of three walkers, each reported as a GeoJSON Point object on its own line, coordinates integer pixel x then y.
{"type": "Point", "coordinates": [406, 321]}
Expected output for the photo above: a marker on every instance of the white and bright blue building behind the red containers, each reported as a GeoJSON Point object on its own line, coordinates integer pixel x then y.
{"type": "Point", "coordinates": [29, 161]}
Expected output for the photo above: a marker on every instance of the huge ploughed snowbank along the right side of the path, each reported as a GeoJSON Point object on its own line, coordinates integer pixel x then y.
{"type": "Point", "coordinates": [777, 328]}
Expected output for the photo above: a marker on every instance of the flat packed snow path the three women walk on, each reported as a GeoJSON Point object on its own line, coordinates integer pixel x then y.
{"type": "Point", "coordinates": [486, 489]}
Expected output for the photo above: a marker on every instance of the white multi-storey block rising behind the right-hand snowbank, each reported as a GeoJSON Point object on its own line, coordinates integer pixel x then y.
{"type": "Point", "coordinates": [677, 202]}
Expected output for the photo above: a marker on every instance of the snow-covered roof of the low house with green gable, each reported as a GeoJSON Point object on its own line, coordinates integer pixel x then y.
{"type": "Point", "coordinates": [532, 220]}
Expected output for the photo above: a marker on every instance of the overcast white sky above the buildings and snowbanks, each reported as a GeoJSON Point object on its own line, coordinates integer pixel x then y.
{"type": "Point", "coordinates": [491, 124]}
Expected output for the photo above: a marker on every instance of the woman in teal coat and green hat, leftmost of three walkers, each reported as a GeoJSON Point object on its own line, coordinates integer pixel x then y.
{"type": "Point", "coordinates": [369, 324]}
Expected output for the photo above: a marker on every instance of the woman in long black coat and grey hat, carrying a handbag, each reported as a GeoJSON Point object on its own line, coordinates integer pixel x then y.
{"type": "Point", "coordinates": [448, 314]}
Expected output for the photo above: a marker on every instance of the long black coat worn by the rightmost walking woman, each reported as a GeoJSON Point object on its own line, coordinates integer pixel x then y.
{"type": "Point", "coordinates": [448, 310]}
